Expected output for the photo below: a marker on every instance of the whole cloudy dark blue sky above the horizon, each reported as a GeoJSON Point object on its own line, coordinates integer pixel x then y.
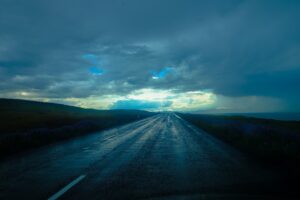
{"type": "Point", "coordinates": [187, 55]}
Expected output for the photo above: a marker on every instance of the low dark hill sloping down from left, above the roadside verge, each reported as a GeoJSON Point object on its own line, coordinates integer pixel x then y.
{"type": "Point", "coordinates": [23, 115]}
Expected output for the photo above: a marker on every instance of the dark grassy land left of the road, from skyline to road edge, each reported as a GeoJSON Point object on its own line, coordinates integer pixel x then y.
{"type": "Point", "coordinates": [26, 125]}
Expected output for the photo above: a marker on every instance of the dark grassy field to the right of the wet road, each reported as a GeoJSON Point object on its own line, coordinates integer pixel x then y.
{"type": "Point", "coordinates": [272, 142]}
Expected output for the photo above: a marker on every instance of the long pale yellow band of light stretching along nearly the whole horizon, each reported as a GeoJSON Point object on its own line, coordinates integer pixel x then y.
{"type": "Point", "coordinates": [162, 100]}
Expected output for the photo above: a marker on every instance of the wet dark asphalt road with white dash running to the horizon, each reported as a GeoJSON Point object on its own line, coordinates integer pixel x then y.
{"type": "Point", "coordinates": [161, 157]}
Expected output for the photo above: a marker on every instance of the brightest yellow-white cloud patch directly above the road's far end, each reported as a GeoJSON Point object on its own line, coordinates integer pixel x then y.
{"type": "Point", "coordinates": [162, 100]}
